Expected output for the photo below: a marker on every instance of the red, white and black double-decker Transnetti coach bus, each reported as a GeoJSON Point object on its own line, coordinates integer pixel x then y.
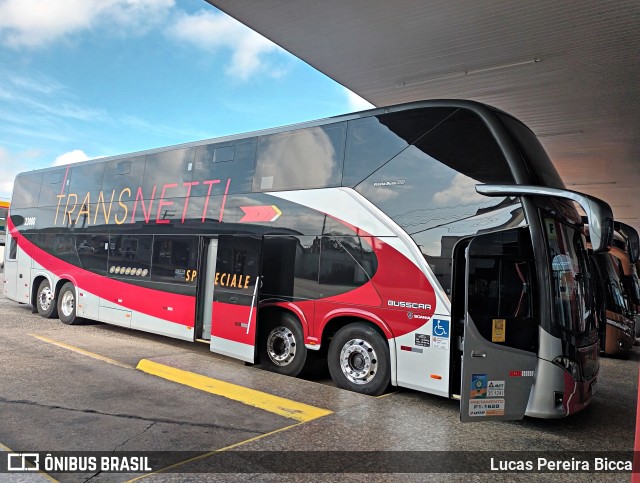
{"type": "Point", "coordinates": [429, 245]}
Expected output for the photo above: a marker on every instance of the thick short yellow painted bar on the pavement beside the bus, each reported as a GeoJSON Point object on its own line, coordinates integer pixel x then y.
{"type": "Point", "coordinates": [274, 404]}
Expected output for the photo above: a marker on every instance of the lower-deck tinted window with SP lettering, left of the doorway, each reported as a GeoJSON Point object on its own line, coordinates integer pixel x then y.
{"type": "Point", "coordinates": [175, 259]}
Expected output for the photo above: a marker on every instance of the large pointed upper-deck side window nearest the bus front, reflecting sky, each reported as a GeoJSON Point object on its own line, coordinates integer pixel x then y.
{"type": "Point", "coordinates": [429, 188]}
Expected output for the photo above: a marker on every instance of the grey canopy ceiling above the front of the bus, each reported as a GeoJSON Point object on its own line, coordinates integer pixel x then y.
{"type": "Point", "coordinates": [570, 70]}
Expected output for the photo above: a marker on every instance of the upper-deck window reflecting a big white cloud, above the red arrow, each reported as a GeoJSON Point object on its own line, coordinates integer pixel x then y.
{"type": "Point", "coordinates": [306, 158]}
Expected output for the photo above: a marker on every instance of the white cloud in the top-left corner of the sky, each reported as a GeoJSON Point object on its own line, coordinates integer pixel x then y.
{"type": "Point", "coordinates": [37, 23]}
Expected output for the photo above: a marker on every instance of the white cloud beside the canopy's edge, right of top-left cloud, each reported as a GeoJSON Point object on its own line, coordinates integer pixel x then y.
{"type": "Point", "coordinates": [215, 32]}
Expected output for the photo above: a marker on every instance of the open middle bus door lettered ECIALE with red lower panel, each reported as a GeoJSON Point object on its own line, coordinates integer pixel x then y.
{"type": "Point", "coordinates": [231, 295]}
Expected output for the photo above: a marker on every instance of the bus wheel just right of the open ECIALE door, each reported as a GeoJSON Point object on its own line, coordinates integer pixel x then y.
{"type": "Point", "coordinates": [282, 348]}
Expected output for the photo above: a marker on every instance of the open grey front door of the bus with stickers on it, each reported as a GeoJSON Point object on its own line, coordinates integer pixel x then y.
{"type": "Point", "coordinates": [499, 348]}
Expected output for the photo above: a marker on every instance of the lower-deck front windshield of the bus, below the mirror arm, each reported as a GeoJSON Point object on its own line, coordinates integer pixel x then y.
{"type": "Point", "coordinates": [572, 286]}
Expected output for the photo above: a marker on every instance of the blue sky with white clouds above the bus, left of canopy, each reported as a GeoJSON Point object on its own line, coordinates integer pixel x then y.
{"type": "Point", "coordinates": [82, 79]}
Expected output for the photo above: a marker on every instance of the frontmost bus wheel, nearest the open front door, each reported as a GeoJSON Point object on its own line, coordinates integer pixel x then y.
{"type": "Point", "coordinates": [359, 360]}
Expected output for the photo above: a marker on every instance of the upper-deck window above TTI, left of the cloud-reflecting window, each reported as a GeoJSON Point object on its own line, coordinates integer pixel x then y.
{"type": "Point", "coordinates": [227, 162]}
